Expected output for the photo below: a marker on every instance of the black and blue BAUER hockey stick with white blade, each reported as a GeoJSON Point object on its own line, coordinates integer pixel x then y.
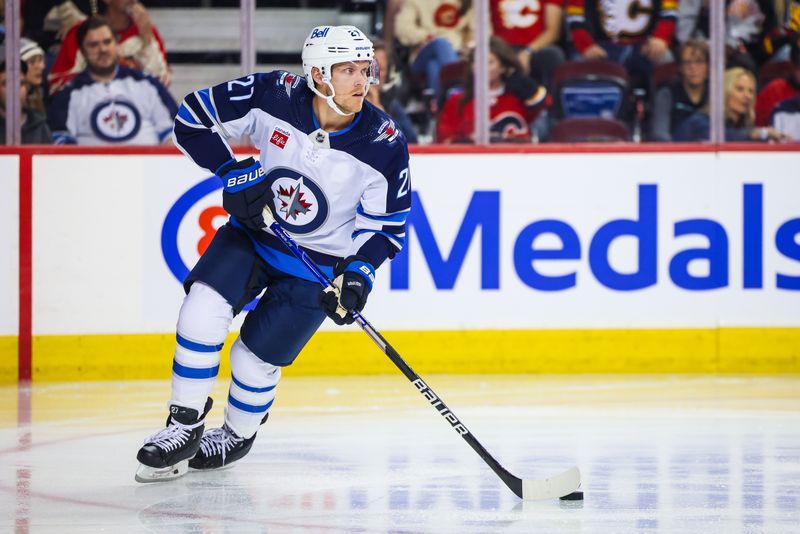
{"type": "Point", "coordinates": [560, 485]}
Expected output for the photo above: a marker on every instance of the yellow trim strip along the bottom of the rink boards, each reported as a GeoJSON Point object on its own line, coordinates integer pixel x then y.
{"type": "Point", "coordinates": [726, 350]}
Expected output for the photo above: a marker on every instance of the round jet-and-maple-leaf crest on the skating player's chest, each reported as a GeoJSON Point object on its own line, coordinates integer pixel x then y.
{"type": "Point", "coordinates": [298, 202]}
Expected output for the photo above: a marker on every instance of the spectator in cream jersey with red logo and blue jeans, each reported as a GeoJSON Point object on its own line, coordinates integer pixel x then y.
{"type": "Point", "coordinates": [435, 31]}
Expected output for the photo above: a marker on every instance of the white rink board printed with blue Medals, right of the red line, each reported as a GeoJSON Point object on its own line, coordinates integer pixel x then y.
{"type": "Point", "coordinates": [104, 258]}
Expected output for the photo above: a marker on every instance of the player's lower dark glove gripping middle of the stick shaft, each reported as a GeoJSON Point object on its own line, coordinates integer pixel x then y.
{"type": "Point", "coordinates": [353, 277]}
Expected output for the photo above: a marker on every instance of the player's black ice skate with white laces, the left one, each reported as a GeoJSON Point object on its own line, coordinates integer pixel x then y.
{"type": "Point", "coordinates": [165, 455]}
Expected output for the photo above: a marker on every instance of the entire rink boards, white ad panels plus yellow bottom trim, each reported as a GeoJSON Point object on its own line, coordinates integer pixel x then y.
{"type": "Point", "coordinates": [611, 261]}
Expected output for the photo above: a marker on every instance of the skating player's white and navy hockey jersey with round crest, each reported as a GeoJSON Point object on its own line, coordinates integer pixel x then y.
{"type": "Point", "coordinates": [337, 193]}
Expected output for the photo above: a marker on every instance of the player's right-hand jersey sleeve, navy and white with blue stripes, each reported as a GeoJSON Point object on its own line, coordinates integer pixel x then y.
{"type": "Point", "coordinates": [380, 229]}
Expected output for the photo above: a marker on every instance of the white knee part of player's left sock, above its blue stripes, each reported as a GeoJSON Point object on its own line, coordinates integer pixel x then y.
{"type": "Point", "coordinates": [205, 315]}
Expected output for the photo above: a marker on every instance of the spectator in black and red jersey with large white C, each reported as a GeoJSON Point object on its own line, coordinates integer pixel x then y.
{"type": "Point", "coordinates": [624, 32]}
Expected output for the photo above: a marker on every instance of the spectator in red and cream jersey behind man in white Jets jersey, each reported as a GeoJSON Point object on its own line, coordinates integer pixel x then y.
{"type": "Point", "coordinates": [140, 45]}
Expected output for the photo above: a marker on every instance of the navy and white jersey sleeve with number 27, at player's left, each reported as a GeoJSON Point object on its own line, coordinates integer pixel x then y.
{"type": "Point", "coordinates": [207, 119]}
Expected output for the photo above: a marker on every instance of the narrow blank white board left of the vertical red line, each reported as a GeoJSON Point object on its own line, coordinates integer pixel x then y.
{"type": "Point", "coordinates": [9, 245]}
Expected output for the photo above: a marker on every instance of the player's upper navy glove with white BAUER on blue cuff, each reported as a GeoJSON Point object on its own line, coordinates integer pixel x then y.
{"type": "Point", "coordinates": [245, 192]}
